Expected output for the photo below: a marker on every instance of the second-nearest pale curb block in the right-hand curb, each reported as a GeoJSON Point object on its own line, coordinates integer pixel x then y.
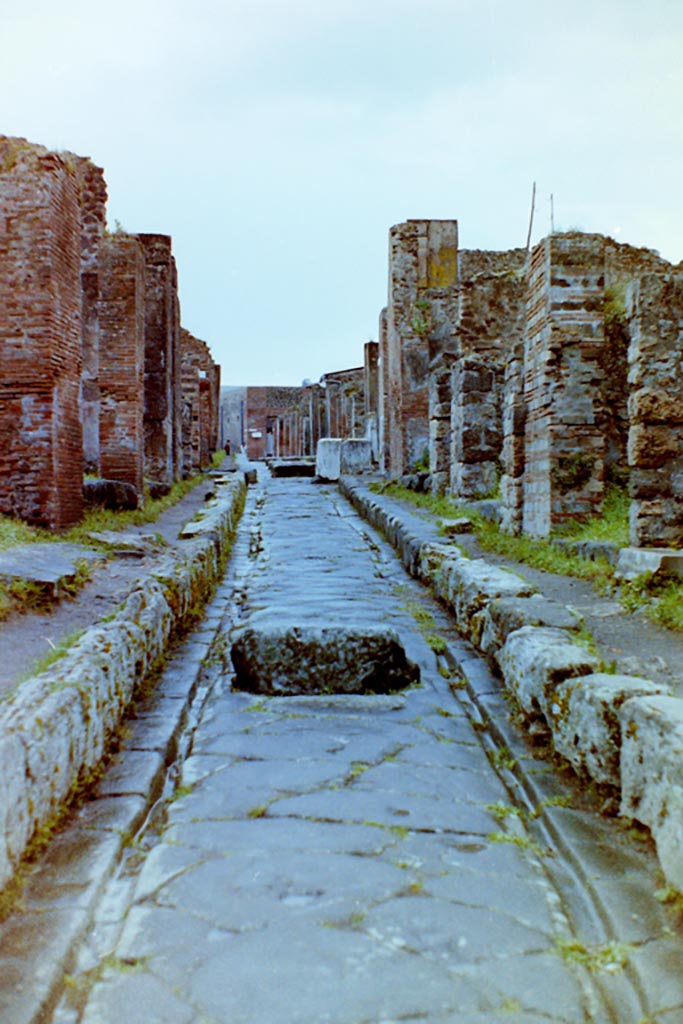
{"type": "Point", "coordinates": [586, 724]}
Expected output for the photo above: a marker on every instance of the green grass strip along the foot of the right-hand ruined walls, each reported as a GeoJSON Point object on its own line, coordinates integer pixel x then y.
{"type": "Point", "coordinates": [660, 598]}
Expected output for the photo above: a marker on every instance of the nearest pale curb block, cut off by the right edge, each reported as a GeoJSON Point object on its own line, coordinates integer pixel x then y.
{"type": "Point", "coordinates": [653, 775]}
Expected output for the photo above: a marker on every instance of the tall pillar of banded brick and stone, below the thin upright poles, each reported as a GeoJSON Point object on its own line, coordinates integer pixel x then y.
{"type": "Point", "coordinates": [565, 438]}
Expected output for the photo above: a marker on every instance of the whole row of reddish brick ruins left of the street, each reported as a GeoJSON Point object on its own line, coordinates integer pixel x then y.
{"type": "Point", "coordinates": [91, 356]}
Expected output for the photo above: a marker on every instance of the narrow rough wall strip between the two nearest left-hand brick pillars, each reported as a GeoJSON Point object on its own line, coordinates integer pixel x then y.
{"type": "Point", "coordinates": [93, 199]}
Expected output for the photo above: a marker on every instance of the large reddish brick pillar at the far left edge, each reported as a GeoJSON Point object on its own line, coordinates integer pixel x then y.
{"type": "Point", "coordinates": [41, 459]}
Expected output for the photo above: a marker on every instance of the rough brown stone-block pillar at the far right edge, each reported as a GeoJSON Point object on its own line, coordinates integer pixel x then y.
{"type": "Point", "coordinates": [656, 410]}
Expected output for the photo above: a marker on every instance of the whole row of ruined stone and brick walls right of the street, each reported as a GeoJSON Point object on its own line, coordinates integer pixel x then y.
{"type": "Point", "coordinates": [544, 376]}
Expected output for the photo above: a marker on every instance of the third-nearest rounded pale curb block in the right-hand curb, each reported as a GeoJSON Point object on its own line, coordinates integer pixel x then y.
{"type": "Point", "coordinates": [535, 661]}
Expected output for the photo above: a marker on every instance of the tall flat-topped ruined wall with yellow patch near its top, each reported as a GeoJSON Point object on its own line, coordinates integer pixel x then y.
{"type": "Point", "coordinates": [423, 276]}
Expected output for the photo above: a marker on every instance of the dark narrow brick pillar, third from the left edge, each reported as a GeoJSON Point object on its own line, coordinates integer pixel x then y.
{"type": "Point", "coordinates": [163, 426]}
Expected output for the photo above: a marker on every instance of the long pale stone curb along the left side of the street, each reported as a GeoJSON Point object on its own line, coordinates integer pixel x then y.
{"type": "Point", "coordinates": [56, 727]}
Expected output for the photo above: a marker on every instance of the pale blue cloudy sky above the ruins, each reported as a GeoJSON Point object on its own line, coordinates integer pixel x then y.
{"type": "Point", "coordinates": [279, 141]}
